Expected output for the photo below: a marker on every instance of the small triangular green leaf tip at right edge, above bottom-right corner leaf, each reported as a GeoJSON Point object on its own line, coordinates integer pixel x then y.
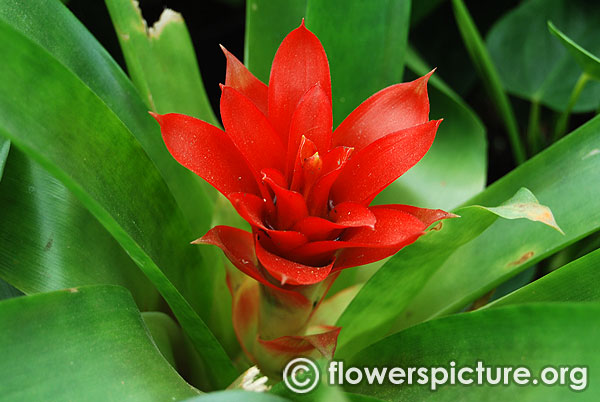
{"type": "Point", "coordinates": [576, 281]}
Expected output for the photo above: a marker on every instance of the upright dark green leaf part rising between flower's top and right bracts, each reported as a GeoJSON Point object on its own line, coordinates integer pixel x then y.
{"type": "Point", "coordinates": [365, 43]}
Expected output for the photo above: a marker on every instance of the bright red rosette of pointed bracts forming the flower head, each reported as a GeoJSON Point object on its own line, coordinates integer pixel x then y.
{"type": "Point", "coordinates": [304, 188]}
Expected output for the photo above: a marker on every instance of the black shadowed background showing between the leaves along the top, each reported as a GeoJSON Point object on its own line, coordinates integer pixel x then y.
{"type": "Point", "coordinates": [436, 37]}
